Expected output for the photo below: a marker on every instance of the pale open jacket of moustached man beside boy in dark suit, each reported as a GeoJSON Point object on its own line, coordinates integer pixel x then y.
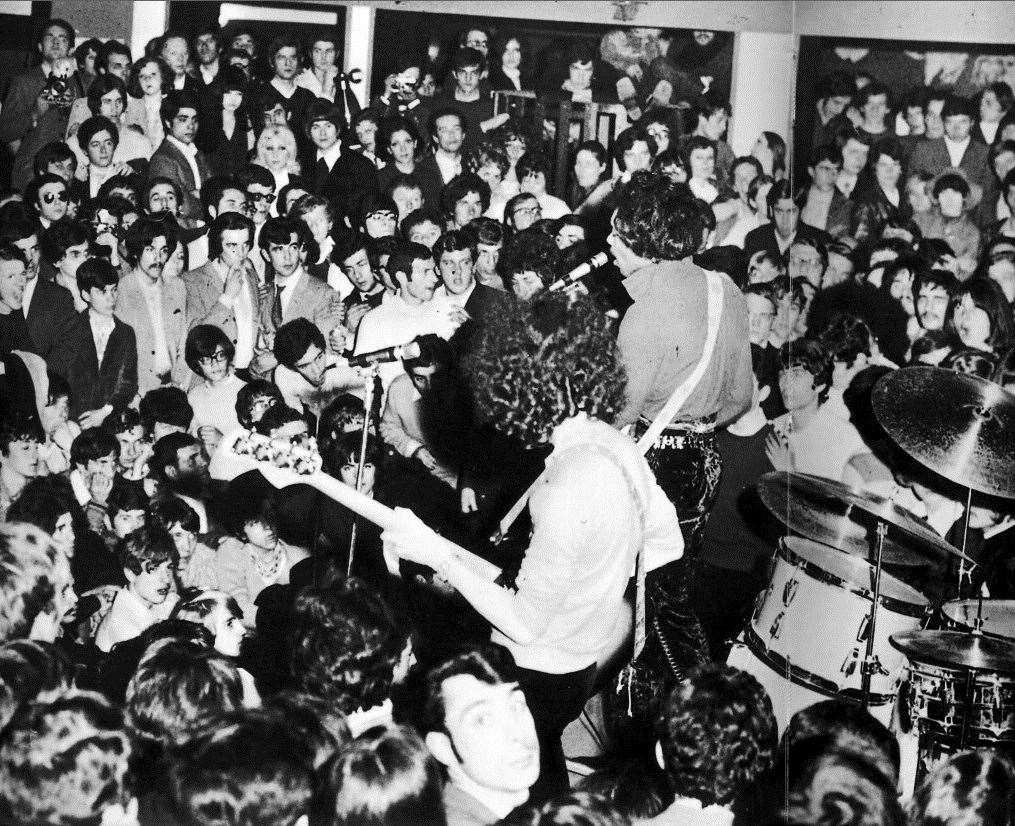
{"type": "Point", "coordinates": [132, 310]}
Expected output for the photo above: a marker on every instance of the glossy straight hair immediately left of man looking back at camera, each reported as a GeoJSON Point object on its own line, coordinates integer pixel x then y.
{"type": "Point", "coordinates": [386, 776]}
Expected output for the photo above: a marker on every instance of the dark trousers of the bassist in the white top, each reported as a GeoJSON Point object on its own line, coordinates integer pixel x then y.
{"type": "Point", "coordinates": [555, 701]}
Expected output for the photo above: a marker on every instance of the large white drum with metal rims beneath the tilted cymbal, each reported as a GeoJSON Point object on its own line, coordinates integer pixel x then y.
{"type": "Point", "coordinates": [813, 622]}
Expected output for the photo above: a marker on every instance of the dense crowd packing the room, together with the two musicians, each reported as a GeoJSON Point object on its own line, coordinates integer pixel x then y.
{"type": "Point", "coordinates": [192, 251]}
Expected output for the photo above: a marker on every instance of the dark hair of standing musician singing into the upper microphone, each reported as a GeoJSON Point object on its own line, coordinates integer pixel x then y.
{"type": "Point", "coordinates": [657, 220]}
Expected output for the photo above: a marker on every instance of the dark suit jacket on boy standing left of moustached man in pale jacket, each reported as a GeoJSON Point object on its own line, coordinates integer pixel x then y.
{"type": "Point", "coordinates": [93, 385]}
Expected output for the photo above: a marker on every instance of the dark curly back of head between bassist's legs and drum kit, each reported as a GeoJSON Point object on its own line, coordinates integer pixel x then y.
{"type": "Point", "coordinates": [718, 734]}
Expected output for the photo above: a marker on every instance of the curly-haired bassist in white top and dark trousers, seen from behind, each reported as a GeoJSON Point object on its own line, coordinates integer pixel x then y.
{"type": "Point", "coordinates": [551, 373]}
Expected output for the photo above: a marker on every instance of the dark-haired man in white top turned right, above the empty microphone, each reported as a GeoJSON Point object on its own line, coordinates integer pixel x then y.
{"type": "Point", "coordinates": [412, 313]}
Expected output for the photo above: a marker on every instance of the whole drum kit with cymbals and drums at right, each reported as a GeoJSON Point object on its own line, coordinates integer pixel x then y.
{"type": "Point", "coordinates": [834, 624]}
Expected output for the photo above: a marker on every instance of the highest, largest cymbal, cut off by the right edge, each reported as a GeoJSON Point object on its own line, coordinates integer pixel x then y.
{"type": "Point", "coordinates": [961, 427]}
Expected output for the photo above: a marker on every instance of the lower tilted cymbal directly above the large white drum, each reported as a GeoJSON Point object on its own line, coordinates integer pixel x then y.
{"type": "Point", "coordinates": [838, 515]}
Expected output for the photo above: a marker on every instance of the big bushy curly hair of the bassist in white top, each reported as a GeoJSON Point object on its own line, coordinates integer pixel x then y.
{"type": "Point", "coordinates": [536, 365]}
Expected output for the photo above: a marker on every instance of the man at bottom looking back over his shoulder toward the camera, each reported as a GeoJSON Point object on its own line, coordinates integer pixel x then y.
{"type": "Point", "coordinates": [479, 726]}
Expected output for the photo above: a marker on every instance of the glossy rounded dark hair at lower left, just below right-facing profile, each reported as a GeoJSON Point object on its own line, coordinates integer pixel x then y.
{"type": "Point", "coordinates": [179, 689]}
